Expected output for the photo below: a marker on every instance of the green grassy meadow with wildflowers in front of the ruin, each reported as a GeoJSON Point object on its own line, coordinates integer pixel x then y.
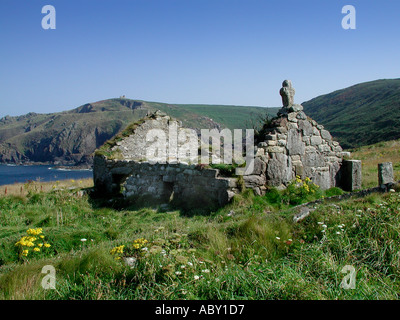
{"type": "Point", "coordinates": [255, 252]}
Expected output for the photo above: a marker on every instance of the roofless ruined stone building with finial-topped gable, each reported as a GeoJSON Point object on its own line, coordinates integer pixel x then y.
{"type": "Point", "coordinates": [293, 145]}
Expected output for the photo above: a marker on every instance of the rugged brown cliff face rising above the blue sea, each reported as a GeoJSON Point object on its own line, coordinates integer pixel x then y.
{"type": "Point", "coordinates": [67, 137]}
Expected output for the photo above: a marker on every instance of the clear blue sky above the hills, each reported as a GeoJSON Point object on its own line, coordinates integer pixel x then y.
{"type": "Point", "coordinates": [190, 51]}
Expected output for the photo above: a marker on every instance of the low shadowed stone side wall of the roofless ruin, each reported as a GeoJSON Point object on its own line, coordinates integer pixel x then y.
{"type": "Point", "coordinates": [183, 184]}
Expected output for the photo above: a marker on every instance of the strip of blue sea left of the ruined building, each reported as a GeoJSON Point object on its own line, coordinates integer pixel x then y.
{"type": "Point", "coordinates": [10, 174]}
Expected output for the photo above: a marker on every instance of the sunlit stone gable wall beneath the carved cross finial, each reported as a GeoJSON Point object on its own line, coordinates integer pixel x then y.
{"type": "Point", "coordinates": [295, 145]}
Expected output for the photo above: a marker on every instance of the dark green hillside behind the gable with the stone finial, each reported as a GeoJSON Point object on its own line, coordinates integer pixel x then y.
{"type": "Point", "coordinates": [362, 114]}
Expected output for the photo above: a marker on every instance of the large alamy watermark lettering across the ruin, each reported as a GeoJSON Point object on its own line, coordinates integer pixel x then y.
{"type": "Point", "coordinates": [184, 145]}
